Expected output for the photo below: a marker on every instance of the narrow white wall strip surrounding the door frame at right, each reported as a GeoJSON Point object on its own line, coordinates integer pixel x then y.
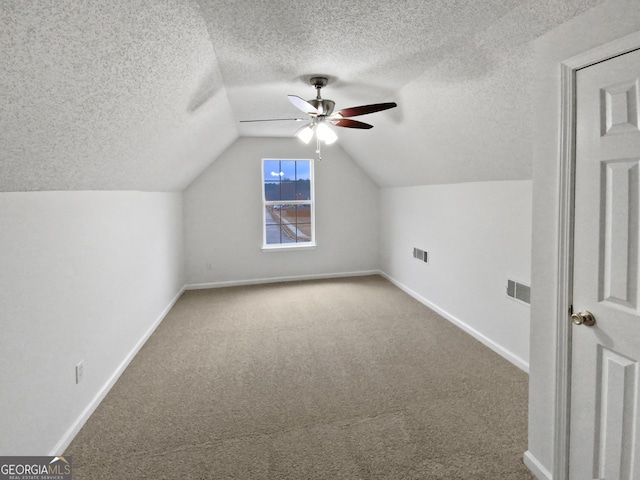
{"type": "Point", "coordinates": [606, 22]}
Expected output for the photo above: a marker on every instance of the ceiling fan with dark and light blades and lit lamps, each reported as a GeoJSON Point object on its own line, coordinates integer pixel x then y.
{"type": "Point", "coordinates": [320, 116]}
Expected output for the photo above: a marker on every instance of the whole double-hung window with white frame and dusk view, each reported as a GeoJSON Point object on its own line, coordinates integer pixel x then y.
{"type": "Point", "coordinates": [287, 196]}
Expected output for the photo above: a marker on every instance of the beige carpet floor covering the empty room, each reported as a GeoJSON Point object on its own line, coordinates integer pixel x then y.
{"type": "Point", "coordinates": [336, 379]}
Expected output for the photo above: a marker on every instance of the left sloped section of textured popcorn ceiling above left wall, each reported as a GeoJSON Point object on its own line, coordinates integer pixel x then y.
{"type": "Point", "coordinates": [116, 94]}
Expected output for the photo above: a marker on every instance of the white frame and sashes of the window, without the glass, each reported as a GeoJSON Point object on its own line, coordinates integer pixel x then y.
{"type": "Point", "coordinates": [279, 247]}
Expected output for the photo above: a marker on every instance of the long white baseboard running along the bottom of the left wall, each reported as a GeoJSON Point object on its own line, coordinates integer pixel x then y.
{"type": "Point", "coordinates": [69, 435]}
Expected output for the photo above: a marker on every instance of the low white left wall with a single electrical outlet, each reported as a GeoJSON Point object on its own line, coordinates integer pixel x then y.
{"type": "Point", "coordinates": [83, 276]}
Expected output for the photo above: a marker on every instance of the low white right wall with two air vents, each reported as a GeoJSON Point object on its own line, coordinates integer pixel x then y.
{"type": "Point", "coordinates": [478, 235]}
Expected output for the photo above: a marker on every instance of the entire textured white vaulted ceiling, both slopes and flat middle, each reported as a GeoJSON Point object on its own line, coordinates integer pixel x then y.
{"type": "Point", "coordinates": [145, 94]}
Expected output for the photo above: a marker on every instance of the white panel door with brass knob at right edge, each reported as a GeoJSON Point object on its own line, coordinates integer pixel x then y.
{"type": "Point", "coordinates": [605, 429]}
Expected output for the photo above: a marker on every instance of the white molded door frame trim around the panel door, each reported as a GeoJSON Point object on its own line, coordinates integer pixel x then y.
{"type": "Point", "coordinates": [566, 193]}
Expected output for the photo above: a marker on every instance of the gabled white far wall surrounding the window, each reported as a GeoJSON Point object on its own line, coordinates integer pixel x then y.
{"type": "Point", "coordinates": [223, 217]}
